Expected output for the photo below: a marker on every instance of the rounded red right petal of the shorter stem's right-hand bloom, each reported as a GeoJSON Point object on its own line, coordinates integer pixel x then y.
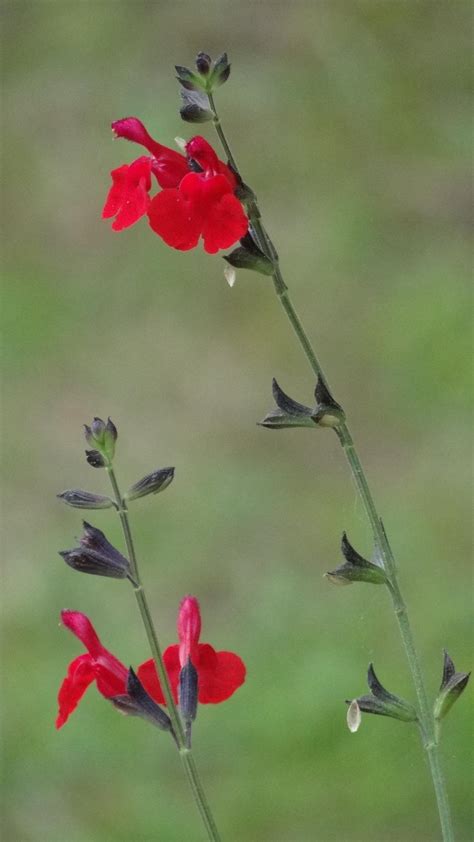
{"type": "Point", "coordinates": [220, 674]}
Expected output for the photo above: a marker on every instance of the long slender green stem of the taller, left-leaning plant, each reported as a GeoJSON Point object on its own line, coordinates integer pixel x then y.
{"type": "Point", "coordinates": [426, 721]}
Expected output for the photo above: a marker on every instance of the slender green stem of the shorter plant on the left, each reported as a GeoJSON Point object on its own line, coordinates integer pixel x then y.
{"type": "Point", "coordinates": [185, 753]}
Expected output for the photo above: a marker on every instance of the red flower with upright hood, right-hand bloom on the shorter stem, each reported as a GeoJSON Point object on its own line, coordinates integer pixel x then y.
{"type": "Point", "coordinates": [219, 673]}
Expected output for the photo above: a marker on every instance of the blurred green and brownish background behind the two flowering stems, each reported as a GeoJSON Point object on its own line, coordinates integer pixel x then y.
{"type": "Point", "coordinates": [351, 122]}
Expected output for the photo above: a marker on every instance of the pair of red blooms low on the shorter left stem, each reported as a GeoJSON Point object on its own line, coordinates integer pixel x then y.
{"type": "Point", "coordinates": [219, 673]}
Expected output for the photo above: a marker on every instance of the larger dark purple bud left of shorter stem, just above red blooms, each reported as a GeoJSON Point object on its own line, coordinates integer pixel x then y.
{"type": "Point", "coordinates": [96, 556]}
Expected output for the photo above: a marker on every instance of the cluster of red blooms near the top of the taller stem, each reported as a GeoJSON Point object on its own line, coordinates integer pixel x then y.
{"type": "Point", "coordinates": [192, 205]}
